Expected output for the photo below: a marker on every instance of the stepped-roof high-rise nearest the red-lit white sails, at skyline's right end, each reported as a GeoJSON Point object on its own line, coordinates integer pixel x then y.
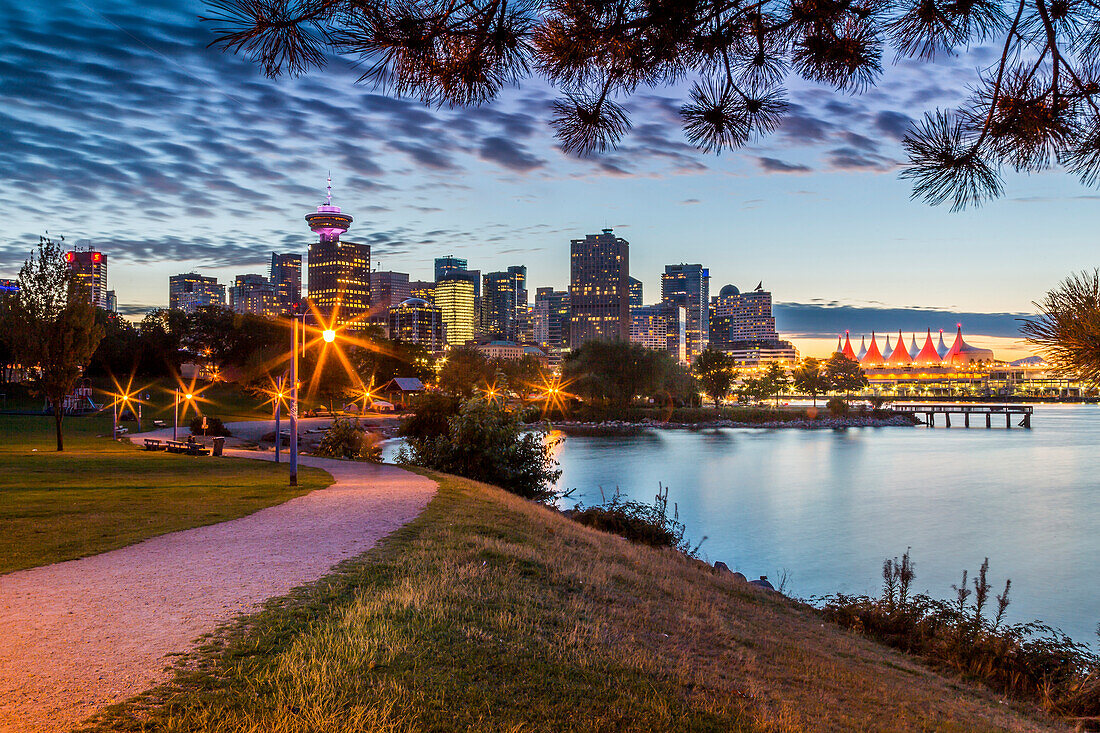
{"type": "Point", "coordinates": [743, 326]}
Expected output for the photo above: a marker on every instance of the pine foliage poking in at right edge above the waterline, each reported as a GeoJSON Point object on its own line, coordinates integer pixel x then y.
{"type": "Point", "coordinates": [1068, 330]}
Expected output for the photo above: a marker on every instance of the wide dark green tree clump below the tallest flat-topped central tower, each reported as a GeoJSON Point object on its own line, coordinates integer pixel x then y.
{"type": "Point", "coordinates": [615, 371]}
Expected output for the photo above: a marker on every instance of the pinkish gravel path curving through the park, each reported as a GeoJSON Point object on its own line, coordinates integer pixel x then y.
{"type": "Point", "coordinates": [79, 636]}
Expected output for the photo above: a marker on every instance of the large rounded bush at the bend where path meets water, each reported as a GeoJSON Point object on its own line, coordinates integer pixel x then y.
{"type": "Point", "coordinates": [487, 443]}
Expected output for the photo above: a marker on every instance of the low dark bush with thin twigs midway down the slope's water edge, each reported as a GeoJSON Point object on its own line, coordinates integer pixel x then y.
{"type": "Point", "coordinates": [648, 524]}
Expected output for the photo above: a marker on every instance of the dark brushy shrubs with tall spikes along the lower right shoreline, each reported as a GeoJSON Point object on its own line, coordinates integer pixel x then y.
{"type": "Point", "coordinates": [1029, 662]}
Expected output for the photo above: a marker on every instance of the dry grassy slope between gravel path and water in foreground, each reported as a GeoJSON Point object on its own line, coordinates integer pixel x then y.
{"type": "Point", "coordinates": [490, 614]}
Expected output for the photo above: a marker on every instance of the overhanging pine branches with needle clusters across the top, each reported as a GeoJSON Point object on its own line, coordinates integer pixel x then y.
{"type": "Point", "coordinates": [1037, 104]}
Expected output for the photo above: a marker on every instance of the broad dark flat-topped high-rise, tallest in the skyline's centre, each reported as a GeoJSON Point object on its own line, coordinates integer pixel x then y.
{"type": "Point", "coordinates": [599, 289]}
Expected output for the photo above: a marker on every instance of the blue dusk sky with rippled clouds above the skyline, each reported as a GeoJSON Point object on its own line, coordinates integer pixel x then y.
{"type": "Point", "coordinates": [119, 128]}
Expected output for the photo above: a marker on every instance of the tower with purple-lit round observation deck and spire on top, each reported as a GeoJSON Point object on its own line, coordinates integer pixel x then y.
{"type": "Point", "coordinates": [339, 271]}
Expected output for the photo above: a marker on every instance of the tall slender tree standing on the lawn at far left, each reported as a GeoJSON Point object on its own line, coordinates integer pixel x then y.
{"type": "Point", "coordinates": [58, 333]}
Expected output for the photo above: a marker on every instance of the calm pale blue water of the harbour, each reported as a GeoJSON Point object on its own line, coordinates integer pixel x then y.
{"type": "Point", "coordinates": [829, 507]}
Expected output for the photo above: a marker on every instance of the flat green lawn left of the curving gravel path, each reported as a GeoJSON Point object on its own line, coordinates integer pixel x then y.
{"type": "Point", "coordinates": [101, 495]}
